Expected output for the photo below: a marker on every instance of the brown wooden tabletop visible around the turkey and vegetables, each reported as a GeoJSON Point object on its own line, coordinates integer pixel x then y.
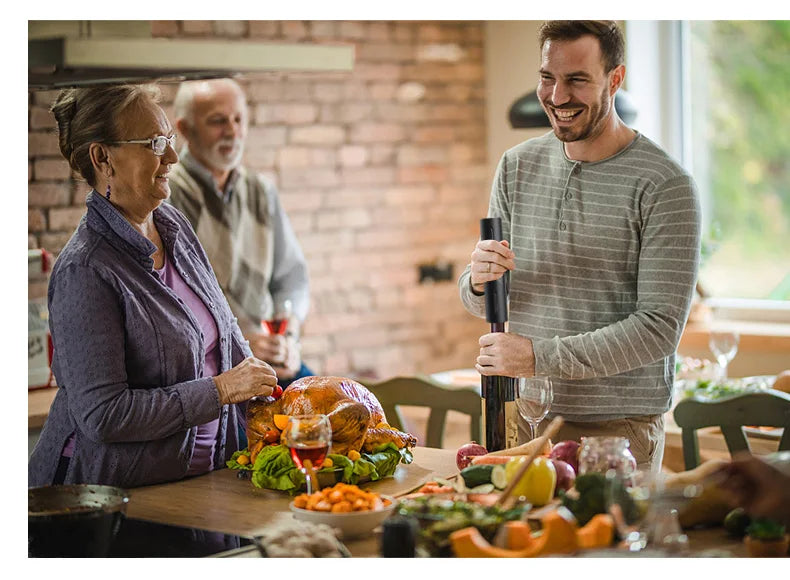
{"type": "Point", "coordinates": [221, 501]}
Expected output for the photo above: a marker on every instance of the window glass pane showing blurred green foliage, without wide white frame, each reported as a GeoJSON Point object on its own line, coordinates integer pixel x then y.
{"type": "Point", "coordinates": [738, 127]}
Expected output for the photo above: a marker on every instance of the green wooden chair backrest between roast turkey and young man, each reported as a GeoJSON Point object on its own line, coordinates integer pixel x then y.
{"type": "Point", "coordinates": [422, 391]}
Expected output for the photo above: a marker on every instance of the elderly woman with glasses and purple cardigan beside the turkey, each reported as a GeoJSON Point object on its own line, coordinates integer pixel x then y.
{"type": "Point", "coordinates": [153, 371]}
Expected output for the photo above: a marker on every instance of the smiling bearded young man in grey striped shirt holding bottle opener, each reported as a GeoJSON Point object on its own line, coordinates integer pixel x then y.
{"type": "Point", "coordinates": [601, 238]}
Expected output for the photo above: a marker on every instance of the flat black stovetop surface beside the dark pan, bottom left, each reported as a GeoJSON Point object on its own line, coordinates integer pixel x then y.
{"type": "Point", "coordinates": [145, 539]}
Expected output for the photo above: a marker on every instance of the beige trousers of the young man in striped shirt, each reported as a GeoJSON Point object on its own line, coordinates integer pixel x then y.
{"type": "Point", "coordinates": [645, 434]}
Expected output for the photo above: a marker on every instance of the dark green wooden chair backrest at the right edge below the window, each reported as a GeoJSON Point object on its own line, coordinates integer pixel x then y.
{"type": "Point", "coordinates": [769, 409]}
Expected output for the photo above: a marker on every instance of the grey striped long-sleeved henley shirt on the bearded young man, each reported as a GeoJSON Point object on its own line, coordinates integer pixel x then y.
{"type": "Point", "coordinates": [606, 262]}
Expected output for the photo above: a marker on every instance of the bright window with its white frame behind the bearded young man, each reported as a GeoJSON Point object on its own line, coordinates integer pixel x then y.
{"type": "Point", "coordinates": [714, 94]}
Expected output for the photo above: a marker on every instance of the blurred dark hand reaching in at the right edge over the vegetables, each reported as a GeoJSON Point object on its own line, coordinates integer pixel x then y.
{"type": "Point", "coordinates": [759, 488]}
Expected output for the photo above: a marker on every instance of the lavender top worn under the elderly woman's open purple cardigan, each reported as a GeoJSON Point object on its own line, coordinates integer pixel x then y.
{"type": "Point", "coordinates": [207, 433]}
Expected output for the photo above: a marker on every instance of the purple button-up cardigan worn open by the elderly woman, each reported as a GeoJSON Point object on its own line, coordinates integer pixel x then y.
{"type": "Point", "coordinates": [128, 354]}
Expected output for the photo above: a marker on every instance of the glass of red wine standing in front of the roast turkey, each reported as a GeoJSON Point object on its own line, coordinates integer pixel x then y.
{"type": "Point", "coordinates": [308, 438]}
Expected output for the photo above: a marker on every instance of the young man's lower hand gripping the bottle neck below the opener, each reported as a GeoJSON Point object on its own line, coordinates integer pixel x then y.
{"type": "Point", "coordinates": [505, 354]}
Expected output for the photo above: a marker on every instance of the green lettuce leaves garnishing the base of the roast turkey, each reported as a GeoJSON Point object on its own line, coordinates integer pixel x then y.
{"type": "Point", "coordinates": [274, 468]}
